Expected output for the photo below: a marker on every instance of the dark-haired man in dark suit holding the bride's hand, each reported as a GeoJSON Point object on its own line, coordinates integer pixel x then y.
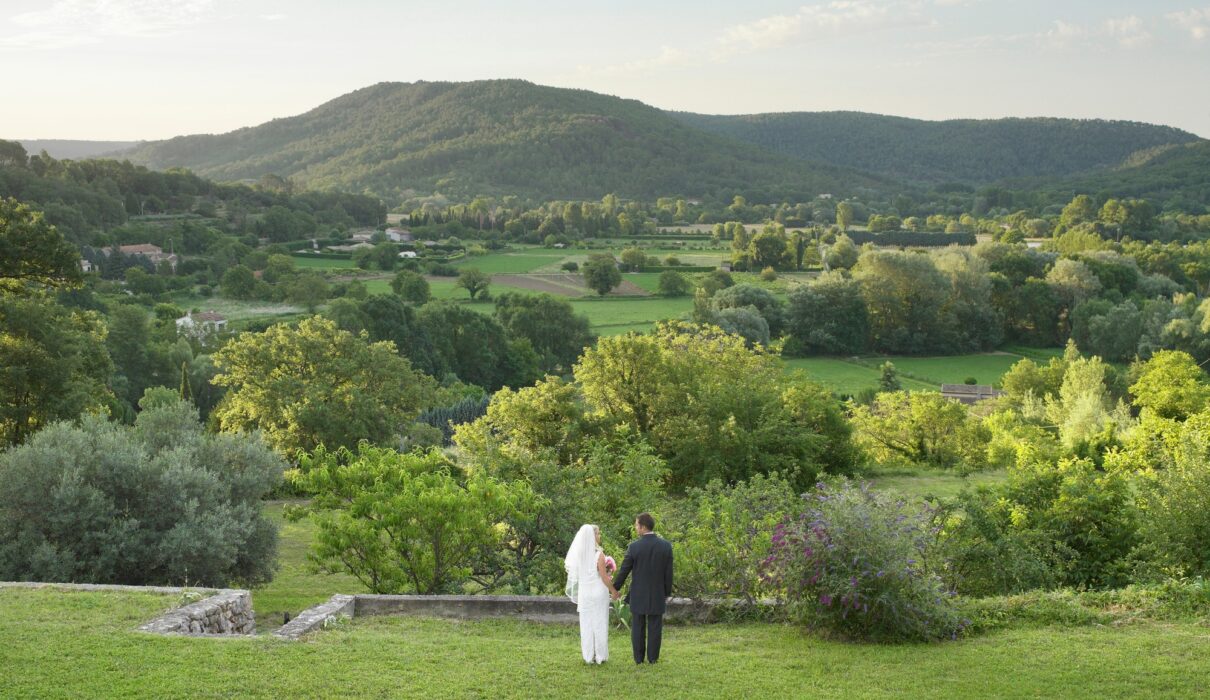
{"type": "Point", "coordinates": [652, 560]}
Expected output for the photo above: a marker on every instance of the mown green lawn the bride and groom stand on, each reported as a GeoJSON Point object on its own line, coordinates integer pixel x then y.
{"type": "Point", "coordinates": [84, 645]}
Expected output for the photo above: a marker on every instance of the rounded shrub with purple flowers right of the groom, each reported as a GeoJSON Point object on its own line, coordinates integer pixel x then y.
{"type": "Point", "coordinates": [858, 564]}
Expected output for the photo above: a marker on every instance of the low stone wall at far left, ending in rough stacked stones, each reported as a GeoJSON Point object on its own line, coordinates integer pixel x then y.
{"type": "Point", "coordinates": [222, 614]}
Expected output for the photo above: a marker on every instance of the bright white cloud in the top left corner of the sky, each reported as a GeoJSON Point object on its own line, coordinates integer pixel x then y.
{"type": "Point", "coordinates": [67, 24]}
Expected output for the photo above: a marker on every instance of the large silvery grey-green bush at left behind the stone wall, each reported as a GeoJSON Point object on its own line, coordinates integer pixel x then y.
{"type": "Point", "coordinates": [157, 504]}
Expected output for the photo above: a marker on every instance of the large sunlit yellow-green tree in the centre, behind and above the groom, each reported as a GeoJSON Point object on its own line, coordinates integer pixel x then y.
{"type": "Point", "coordinates": [708, 404]}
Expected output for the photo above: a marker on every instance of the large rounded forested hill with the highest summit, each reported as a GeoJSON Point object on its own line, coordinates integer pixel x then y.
{"type": "Point", "coordinates": [497, 137]}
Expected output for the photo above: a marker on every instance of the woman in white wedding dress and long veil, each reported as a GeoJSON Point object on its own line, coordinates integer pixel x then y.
{"type": "Point", "coordinates": [590, 588]}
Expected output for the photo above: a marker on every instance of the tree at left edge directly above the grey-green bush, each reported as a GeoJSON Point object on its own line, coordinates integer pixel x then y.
{"type": "Point", "coordinates": [54, 365]}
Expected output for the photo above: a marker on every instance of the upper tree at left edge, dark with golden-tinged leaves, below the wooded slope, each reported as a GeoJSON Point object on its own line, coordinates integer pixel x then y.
{"type": "Point", "coordinates": [33, 252]}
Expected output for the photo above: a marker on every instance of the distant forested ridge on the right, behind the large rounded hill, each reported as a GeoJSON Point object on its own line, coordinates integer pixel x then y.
{"type": "Point", "coordinates": [970, 152]}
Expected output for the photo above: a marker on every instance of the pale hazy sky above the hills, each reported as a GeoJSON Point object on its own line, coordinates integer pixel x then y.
{"type": "Point", "coordinates": [152, 70]}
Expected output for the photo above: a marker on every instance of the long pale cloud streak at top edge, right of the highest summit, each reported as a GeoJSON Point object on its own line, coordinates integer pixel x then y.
{"type": "Point", "coordinates": [832, 19]}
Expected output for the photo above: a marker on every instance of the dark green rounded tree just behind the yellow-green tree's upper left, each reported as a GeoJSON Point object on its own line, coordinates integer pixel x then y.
{"type": "Point", "coordinates": [550, 325]}
